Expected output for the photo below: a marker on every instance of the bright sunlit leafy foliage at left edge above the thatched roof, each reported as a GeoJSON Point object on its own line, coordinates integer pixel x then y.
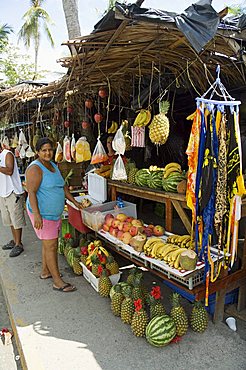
{"type": "Point", "coordinates": [16, 67]}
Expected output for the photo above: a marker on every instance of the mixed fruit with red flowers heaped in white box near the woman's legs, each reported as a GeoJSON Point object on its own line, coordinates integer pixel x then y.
{"type": "Point", "coordinates": [97, 259]}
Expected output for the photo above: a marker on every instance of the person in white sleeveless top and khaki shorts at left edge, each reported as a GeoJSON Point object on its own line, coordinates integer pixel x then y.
{"type": "Point", "coordinates": [12, 200]}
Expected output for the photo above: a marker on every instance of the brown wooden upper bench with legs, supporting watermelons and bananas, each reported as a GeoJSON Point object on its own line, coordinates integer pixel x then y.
{"type": "Point", "coordinates": [178, 201]}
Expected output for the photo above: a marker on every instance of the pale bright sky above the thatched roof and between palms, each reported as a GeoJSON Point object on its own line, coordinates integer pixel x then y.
{"type": "Point", "coordinates": [89, 13]}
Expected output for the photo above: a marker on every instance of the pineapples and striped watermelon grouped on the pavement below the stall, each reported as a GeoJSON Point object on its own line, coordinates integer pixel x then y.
{"type": "Point", "coordinates": [146, 314]}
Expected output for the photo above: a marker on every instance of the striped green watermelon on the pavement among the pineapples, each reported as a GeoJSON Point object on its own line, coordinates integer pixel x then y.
{"type": "Point", "coordinates": [160, 330]}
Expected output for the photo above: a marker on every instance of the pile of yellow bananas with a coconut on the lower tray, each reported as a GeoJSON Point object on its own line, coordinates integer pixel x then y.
{"type": "Point", "coordinates": [176, 251]}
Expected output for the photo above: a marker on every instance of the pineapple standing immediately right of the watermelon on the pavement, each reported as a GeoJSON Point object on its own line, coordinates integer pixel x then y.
{"type": "Point", "coordinates": [178, 315]}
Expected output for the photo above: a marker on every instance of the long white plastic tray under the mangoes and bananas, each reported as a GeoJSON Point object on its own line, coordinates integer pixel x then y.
{"type": "Point", "coordinates": [190, 279]}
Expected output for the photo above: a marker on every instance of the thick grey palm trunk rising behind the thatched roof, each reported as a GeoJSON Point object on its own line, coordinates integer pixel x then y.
{"type": "Point", "coordinates": [70, 8]}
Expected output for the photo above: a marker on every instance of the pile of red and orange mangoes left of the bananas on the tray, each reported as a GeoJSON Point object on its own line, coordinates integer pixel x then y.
{"type": "Point", "coordinates": [126, 228]}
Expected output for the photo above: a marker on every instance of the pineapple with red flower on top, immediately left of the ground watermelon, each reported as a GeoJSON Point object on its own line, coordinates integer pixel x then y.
{"type": "Point", "coordinates": [139, 319]}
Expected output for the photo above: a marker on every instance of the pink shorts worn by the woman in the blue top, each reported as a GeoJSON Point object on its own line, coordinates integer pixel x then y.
{"type": "Point", "coordinates": [50, 229]}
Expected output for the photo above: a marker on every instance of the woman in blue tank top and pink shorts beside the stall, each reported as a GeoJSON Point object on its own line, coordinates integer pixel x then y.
{"type": "Point", "coordinates": [45, 204]}
